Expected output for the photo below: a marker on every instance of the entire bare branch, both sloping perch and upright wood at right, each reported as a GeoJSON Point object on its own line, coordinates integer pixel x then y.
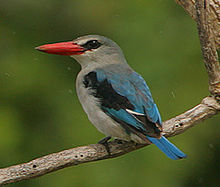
{"type": "Point", "coordinates": [209, 107]}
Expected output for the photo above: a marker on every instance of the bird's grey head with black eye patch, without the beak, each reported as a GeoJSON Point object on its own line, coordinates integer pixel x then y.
{"type": "Point", "coordinates": [98, 50]}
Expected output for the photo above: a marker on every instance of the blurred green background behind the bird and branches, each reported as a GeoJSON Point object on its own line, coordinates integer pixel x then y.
{"type": "Point", "coordinates": [39, 109]}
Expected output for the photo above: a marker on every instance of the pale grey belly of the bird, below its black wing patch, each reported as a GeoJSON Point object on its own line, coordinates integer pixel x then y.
{"type": "Point", "coordinates": [99, 119]}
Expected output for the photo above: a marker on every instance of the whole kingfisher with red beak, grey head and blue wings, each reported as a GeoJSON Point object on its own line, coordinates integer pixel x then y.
{"type": "Point", "coordinates": [116, 99]}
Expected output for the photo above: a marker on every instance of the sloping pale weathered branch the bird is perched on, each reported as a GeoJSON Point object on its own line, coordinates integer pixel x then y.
{"type": "Point", "coordinates": [94, 152]}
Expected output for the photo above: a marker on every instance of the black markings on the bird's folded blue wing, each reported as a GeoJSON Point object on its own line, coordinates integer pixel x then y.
{"type": "Point", "coordinates": [112, 100]}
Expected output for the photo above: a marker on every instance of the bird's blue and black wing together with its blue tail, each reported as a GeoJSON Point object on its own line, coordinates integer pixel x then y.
{"type": "Point", "coordinates": [126, 98]}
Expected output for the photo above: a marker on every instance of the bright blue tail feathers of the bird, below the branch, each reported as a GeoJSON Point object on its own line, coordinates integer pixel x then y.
{"type": "Point", "coordinates": [167, 147]}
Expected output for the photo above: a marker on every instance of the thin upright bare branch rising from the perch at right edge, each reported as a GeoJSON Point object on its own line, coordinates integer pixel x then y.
{"type": "Point", "coordinates": [207, 41]}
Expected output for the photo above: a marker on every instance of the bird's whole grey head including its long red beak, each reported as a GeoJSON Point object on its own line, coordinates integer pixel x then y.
{"type": "Point", "coordinates": [88, 50]}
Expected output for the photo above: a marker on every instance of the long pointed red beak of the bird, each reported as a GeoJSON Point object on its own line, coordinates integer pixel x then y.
{"type": "Point", "coordinates": [62, 48]}
